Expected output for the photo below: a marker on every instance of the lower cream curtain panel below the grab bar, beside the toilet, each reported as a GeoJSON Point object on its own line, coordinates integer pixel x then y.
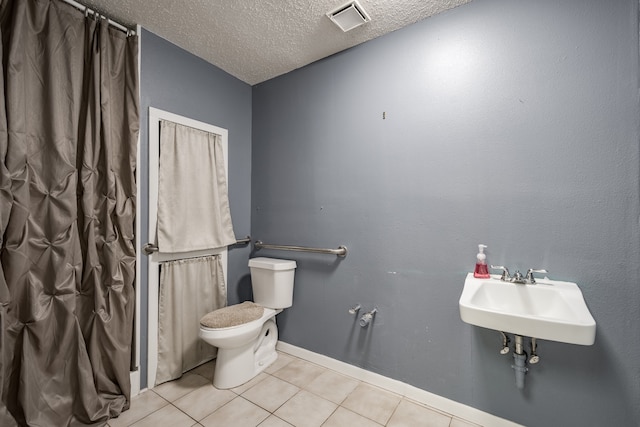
{"type": "Point", "coordinates": [189, 289]}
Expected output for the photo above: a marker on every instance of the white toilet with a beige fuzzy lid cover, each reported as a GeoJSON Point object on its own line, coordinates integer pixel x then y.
{"type": "Point", "coordinates": [246, 334]}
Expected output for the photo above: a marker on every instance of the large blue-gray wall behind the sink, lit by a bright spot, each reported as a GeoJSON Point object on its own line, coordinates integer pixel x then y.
{"type": "Point", "coordinates": [509, 123]}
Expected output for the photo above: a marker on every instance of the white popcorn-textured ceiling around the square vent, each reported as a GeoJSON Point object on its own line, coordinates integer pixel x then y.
{"type": "Point", "coordinates": [255, 40]}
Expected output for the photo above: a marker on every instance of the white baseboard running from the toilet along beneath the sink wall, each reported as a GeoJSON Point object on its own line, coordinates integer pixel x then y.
{"type": "Point", "coordinates": [434, 401]}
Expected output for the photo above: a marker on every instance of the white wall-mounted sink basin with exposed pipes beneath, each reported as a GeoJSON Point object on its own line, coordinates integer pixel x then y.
{"type": "Point", "coordinates": [550, 309]}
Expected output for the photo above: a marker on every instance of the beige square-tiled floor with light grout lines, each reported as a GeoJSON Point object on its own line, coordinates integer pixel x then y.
{"type": "Point", "coordinates": [291, 392]}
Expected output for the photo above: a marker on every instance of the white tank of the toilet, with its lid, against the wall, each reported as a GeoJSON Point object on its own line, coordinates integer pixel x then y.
{"type": "Point", "coordinates": [272, 281]}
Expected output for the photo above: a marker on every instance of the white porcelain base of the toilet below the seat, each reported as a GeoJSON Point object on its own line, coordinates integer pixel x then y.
{"type": "Point", "coordinates": [236, 366]}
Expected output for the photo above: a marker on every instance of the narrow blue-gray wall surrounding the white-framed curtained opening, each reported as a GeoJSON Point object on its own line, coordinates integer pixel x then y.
{"type": "Point", "coordinates": [173, 80]}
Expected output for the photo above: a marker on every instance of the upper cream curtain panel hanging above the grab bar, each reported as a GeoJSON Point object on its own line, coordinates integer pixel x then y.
{"type": "Point", "coordinates": [193, 202]}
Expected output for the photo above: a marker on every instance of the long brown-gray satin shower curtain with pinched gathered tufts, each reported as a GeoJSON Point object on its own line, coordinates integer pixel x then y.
{"type": "Point", "coordinates": [68, 134]}
